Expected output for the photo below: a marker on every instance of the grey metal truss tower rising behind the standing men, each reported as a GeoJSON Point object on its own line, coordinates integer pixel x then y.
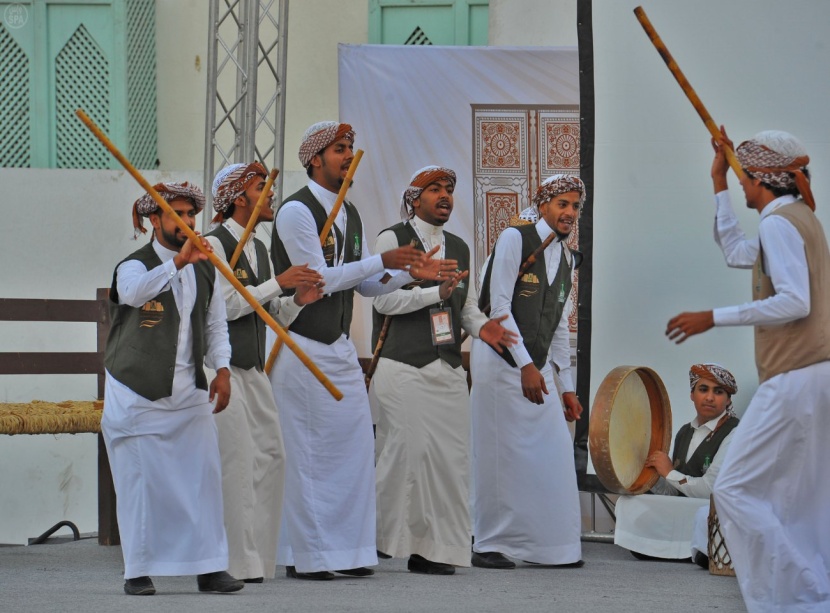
{"type": "Point", "coordinates": [246, 66]}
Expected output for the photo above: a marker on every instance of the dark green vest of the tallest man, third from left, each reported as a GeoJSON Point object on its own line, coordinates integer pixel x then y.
{"type": "Point", "coordinates": [325, 320]}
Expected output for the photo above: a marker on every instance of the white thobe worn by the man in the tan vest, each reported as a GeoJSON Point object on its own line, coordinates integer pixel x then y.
{"type": "Point", "coordinates": [771, 497]}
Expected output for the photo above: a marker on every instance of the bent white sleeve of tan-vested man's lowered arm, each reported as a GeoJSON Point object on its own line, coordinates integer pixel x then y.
{"type": "Point", "coordinates": [786, 262]}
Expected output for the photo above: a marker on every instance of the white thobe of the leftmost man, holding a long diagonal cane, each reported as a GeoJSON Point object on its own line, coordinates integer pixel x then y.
{"type": "Point", "coordinates": [164, 454]}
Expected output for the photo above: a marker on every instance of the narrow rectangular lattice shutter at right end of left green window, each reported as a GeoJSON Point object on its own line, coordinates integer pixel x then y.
{"type": "Point", "coordinates": [141, 83]}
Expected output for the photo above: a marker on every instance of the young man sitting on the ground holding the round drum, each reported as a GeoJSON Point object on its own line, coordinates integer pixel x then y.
{"type": "Point", "coordinates": [664, 526]}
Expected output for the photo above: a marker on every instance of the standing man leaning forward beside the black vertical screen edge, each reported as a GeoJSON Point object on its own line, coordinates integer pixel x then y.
{"type": "Point", "coordinates": [526, 497]}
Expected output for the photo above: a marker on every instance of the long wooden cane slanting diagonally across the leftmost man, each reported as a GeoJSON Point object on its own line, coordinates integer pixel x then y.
{"type": "Point", "coordinates": [221, 266]}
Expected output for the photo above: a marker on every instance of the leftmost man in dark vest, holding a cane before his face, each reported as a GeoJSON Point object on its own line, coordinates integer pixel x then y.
{"type": "Point", "coordinates": [168, 319]}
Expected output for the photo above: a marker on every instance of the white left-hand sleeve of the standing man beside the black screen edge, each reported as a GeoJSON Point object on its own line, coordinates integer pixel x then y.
{"type": "Point", "coordinates": [505, 270]}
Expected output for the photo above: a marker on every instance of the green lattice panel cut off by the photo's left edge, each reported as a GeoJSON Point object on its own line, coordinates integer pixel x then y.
{"type": "Point", "coordinates": [15, 138]}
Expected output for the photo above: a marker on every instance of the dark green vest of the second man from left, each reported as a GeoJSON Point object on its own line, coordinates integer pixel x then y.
{"type": "Point", "coordinates": [246, 333]}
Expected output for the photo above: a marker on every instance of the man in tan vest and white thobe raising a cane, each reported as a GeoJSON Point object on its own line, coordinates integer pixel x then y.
{"type": "Point", "coordinates": [770, 496]}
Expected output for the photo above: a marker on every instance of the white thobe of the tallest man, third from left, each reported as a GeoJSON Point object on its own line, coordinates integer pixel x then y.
{"type": "Point", "coordinates": [329, 509]}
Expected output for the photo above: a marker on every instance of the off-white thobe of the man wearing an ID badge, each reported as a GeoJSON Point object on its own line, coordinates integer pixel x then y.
{"type": "Point", "coordinates": [423, 424]}
